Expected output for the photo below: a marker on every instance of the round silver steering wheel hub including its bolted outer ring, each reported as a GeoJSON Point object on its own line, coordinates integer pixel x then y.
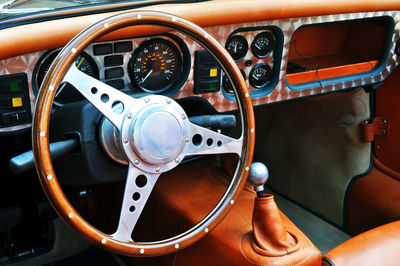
{"type": "Point", "coordinates": [154, 136]}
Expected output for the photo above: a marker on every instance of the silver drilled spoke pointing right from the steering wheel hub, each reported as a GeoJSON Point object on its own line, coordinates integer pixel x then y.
{"type": "Point", "coordinates": [205, 141]}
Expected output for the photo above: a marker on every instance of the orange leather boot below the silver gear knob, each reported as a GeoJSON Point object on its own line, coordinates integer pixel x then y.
{"type": "Point", "coordinates": [268, 229]}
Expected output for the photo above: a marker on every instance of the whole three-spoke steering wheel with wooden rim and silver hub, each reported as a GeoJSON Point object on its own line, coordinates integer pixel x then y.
{"type": "Point", "coordinates": [155, 134]}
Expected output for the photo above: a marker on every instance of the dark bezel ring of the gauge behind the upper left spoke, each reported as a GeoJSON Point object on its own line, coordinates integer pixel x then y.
{"type": "Point", "coordinates": [40, 64]}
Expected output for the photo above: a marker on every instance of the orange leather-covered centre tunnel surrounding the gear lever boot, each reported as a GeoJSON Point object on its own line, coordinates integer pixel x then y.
{"type": "Point", "coordinates": [187, 195]}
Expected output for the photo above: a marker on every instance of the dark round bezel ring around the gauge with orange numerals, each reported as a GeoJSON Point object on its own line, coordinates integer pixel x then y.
{"type": "Point", "coordinates": [176, 78]}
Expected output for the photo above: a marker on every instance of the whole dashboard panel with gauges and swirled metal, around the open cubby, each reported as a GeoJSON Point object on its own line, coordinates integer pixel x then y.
{"type": "Point", "coordinates": [245, 42]}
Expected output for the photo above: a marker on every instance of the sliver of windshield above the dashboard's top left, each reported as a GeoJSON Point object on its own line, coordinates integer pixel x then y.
{"type": "Point", "coordinates": [11, 8]}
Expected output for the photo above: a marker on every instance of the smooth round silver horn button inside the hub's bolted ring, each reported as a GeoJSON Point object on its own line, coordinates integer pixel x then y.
{"type": "Point", "coordinates": [158, 135]}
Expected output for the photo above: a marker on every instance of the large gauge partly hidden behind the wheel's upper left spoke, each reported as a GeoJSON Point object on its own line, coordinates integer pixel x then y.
{"type": "Point", "coordinates": [66, 93]}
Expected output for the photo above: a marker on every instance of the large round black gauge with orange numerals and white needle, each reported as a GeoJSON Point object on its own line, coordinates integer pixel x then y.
{"type": "Point", "coordinates": [155, 65]}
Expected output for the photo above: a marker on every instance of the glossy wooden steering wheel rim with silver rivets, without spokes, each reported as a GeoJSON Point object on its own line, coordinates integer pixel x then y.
{"type": "Point", "coordinates": [40, 135]}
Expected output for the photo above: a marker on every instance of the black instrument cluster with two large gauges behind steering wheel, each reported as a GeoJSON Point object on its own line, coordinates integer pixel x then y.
{"type": "Point", "coordinates": [146, 65]}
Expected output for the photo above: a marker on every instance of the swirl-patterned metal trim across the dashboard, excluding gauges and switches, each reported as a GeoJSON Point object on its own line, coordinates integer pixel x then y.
{"type": "Point", "coordinates": [26, 63]}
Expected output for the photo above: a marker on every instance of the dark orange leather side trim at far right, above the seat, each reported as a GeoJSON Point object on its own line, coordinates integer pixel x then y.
{"type": "Point", "coordinates": [374, 198]}
